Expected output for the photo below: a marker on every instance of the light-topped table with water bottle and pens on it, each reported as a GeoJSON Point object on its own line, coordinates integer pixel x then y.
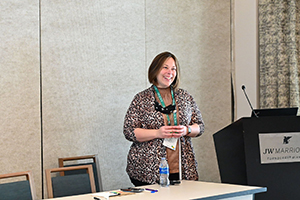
{"type": "Point", "coordinates": [184, 191]}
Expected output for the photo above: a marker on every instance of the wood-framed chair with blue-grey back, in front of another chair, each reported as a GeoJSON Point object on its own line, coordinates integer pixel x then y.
{"type": "Point", "coordinates": [60, 186]}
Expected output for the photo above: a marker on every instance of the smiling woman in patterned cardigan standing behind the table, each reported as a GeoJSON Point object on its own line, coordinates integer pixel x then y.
{"type": "Point", "coordinates": [160, 122]}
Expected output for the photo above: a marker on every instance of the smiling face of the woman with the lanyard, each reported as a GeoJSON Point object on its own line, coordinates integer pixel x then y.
{"type": "Point", "coordinates": [167, 73]}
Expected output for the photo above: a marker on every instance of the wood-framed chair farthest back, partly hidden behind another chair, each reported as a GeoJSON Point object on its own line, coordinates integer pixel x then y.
{"type": "Point", "coordinates": [88, 159]}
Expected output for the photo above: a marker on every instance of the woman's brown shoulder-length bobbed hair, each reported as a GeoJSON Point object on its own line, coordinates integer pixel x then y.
{"type": "Point", "coordinates": [156, 66]}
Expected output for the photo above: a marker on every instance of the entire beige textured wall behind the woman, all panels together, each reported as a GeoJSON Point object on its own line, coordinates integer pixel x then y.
{"type": "Point", "coordinates": [95, 56]}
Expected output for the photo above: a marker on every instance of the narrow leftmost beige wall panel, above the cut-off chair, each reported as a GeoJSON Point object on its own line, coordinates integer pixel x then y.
{"type": "Point", "coordinates": [20, 85]}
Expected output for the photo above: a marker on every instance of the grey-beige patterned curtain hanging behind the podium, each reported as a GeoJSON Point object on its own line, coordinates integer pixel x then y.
{"type": "Point", "coordinates": [279, 53]}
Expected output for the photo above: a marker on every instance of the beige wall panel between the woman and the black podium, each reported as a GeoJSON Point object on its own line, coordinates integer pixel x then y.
{"type": "Point", "coordinates": [198, 33]}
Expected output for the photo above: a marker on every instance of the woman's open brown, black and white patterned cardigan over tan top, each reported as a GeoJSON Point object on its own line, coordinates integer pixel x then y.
{"type": "Point", "coordinates": [144, 157]}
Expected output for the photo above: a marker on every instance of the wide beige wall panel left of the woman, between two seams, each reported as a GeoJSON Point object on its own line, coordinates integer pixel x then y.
{"type": "Point", "coordinates": [93, 57]}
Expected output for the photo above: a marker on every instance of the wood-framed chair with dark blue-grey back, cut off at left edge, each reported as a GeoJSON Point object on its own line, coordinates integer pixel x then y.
{"type": "Point", "coordinates": [17, 189]}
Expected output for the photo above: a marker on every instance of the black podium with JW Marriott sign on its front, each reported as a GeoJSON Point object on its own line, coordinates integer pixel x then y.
{"type": "Point", "coordinates": [239, 156]}
